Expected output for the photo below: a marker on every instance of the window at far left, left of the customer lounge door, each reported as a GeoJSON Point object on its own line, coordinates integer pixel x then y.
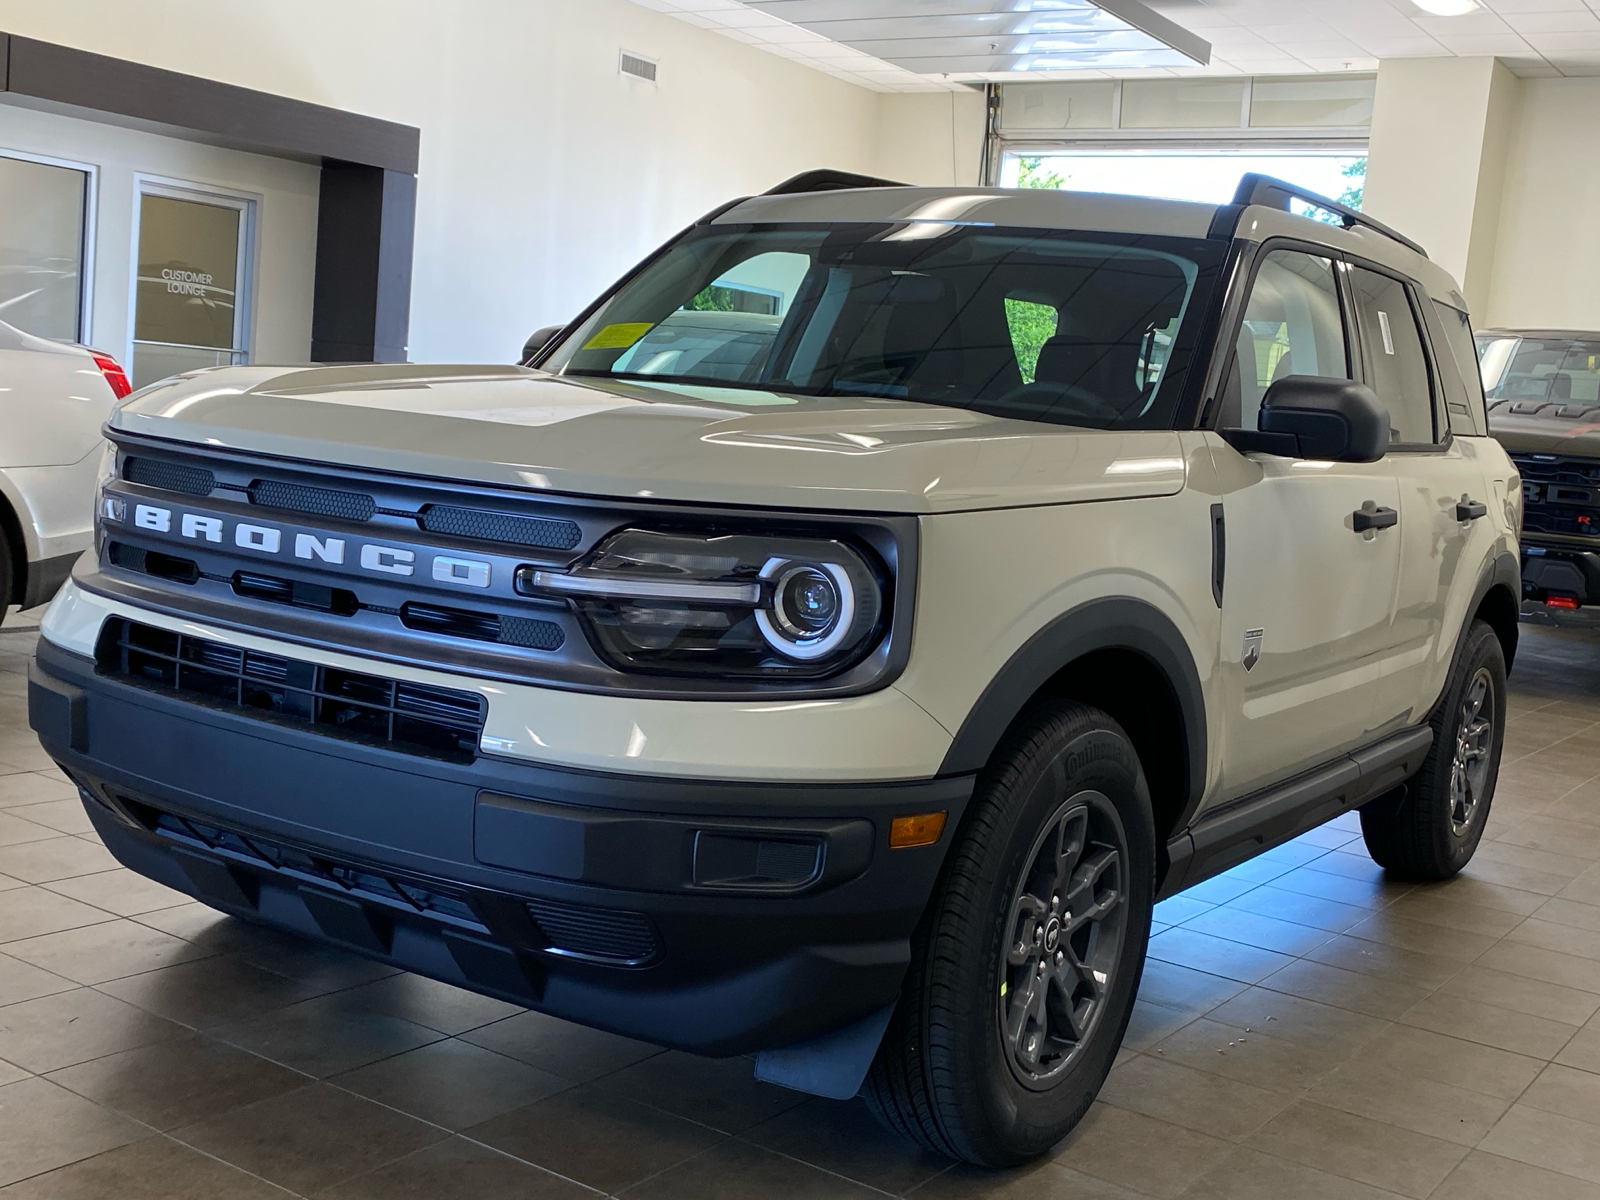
{"type": "Point", "coordinates": [42, 247]}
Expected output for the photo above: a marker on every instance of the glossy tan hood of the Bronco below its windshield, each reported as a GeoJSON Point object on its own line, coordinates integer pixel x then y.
{"type": "Point", "coordinates": [527, 430]}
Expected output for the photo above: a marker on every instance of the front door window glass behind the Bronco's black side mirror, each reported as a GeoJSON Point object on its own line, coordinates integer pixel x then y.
{"type": "Point", "coordinates": [1292, 327]}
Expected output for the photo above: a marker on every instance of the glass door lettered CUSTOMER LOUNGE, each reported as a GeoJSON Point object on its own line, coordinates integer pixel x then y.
{"type": "Point", "coordinates": [193, 282]}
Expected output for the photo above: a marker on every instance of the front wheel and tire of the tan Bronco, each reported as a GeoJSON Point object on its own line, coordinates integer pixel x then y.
{"type": "Point", "coordinates": [958, 1071]}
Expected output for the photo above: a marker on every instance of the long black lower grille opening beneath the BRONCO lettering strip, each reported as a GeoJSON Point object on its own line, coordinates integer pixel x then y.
{"type": "Point", "coordinates": [410, 718]}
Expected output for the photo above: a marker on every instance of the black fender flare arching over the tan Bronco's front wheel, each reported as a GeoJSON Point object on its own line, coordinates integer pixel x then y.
{"type": "Point", "coordinates": [1113, 623]}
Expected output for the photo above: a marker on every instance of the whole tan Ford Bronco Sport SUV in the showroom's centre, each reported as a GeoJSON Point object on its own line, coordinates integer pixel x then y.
{"type": "Point", "coordinates": [834, 642]}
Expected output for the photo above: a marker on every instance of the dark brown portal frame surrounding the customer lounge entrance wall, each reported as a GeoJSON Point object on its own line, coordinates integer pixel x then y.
{"type": "Point", "coordinates": [367, 207]}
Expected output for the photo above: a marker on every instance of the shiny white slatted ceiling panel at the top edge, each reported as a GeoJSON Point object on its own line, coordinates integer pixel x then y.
{"type": "Point", "coordinates": [998, 38]}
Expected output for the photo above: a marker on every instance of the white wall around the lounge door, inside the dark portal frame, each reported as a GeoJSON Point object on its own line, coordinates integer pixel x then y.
{"type": "Point", "coordinates": [286, 220]}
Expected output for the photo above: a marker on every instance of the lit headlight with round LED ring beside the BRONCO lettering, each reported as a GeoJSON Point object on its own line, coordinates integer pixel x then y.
{"type": "Point", "coordinates": [724, 606]}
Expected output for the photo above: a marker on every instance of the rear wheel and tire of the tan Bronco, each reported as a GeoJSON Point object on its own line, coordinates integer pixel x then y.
{"type": "Point", "coordinates": [1438, 826]}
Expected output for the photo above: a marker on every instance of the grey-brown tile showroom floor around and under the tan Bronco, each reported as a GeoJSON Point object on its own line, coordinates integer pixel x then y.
{"type": "Point", "coordinates": [1306, 1030]}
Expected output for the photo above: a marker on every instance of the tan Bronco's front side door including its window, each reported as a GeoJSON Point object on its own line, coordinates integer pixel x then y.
{"type": "Point", "coordinates": [1308, 596]}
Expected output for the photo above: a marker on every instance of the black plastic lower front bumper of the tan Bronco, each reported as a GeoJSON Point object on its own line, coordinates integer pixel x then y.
{"type": "Point", "coordinates": [598, 898]}
